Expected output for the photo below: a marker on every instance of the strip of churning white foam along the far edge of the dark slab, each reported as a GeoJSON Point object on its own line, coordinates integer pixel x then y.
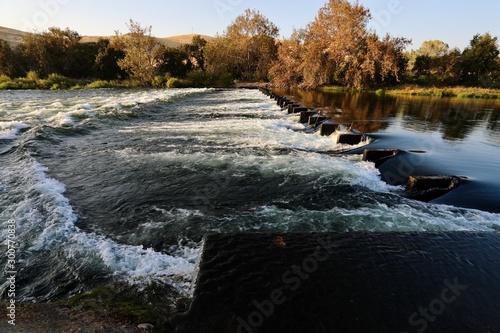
{"type": "Point", "coordinates": [404, 217]}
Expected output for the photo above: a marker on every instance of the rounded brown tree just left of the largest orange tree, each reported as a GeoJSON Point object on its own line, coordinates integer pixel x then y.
{"type": "Point", "coordinates": [246, 49]}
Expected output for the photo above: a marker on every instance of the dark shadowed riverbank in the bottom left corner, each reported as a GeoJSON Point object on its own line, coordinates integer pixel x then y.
{"type": "Point", "coordinates": [111, 308]}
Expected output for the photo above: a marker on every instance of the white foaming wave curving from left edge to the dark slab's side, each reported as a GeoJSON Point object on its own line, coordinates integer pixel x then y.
{"type": "Point", "coordinates": [46, 221]}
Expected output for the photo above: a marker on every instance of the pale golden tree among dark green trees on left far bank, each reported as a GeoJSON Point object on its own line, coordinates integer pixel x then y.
{"type": "Point", "coordinates": [142, 53]}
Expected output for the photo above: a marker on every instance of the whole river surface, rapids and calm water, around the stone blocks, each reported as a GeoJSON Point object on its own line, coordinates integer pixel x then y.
{"type": "Point", "coordinates": [125, 184]}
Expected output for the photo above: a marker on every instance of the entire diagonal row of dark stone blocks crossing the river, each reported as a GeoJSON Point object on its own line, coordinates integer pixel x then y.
{"type": "Point", "coordinates": [424, 188]}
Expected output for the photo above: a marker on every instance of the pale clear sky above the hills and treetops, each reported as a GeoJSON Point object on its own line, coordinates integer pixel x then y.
{"type": "Point", "coordinates": [453, 22]}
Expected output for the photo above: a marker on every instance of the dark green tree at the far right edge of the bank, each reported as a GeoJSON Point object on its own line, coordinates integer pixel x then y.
{"type": "Point", "coordinates": [480, 61]}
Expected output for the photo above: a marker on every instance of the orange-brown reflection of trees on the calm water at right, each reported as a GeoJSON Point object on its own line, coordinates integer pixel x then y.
{"type": "Point", "coordinates": [455, 118]}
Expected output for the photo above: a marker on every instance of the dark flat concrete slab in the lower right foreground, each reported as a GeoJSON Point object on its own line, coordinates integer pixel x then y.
{"type": "Point", "coordinates": [346, 282]}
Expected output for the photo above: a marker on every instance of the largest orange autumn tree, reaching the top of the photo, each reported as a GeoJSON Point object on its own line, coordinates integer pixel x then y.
{"type": "Point", "coordinates": [338, 48]}
